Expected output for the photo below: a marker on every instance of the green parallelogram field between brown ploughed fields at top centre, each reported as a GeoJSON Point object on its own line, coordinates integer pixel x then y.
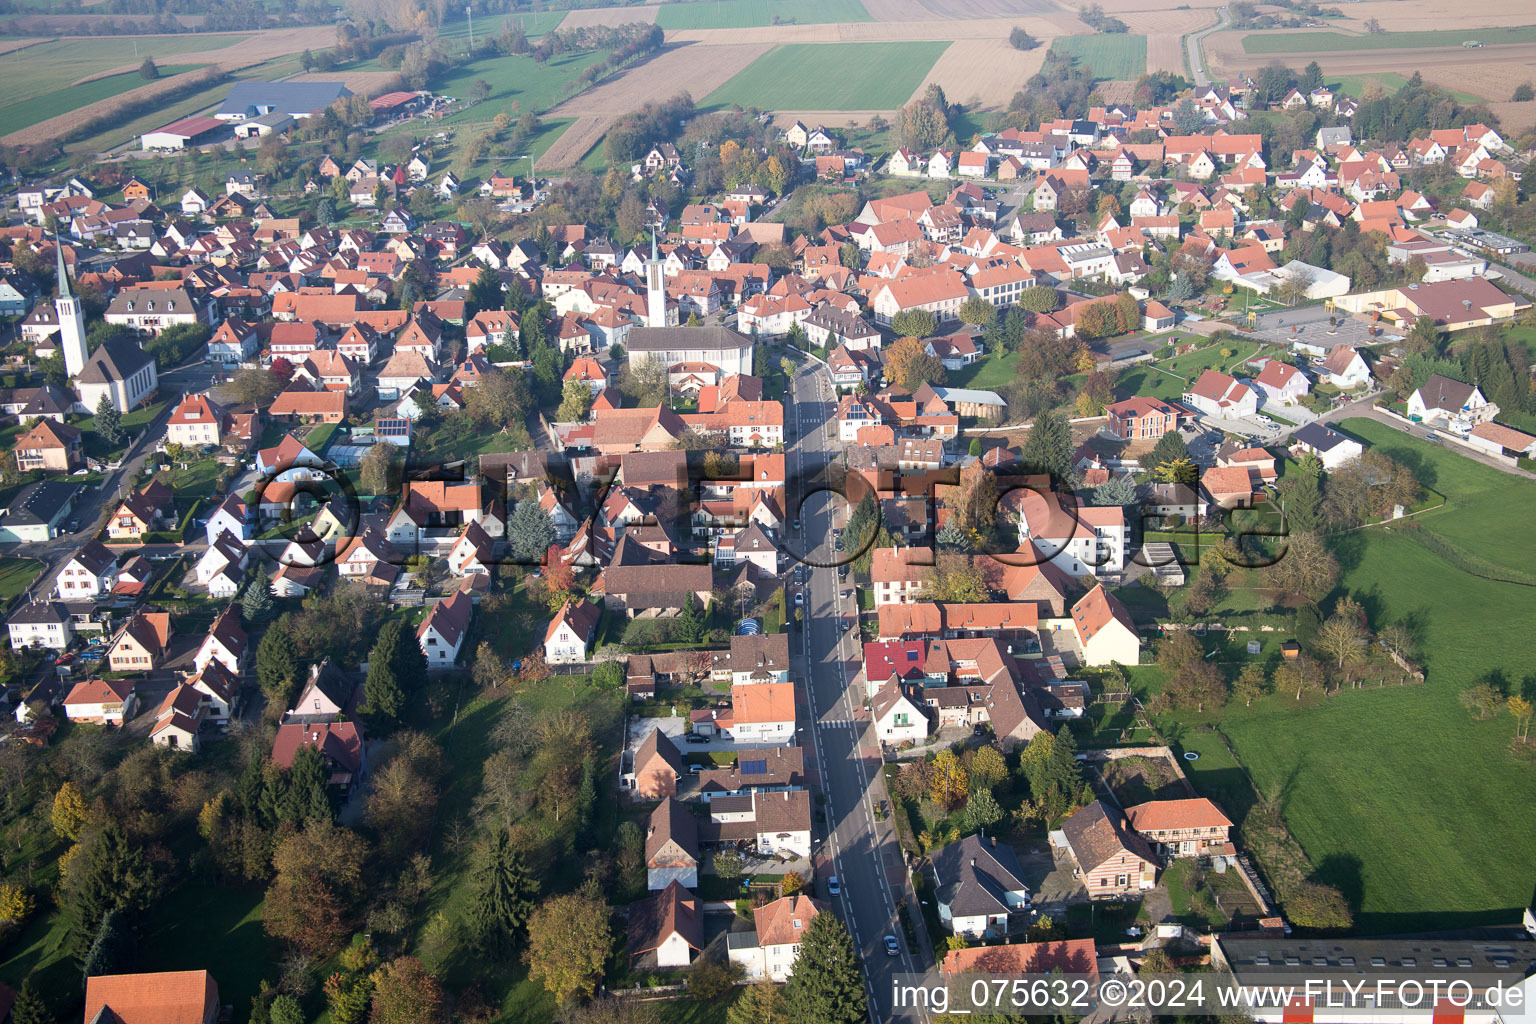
{"type": "Point", "coordinates": [832, 78]}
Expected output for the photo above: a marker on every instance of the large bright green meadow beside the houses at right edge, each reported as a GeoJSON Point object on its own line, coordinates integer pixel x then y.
{"type": "Point", "coordinates": [1382, 787]}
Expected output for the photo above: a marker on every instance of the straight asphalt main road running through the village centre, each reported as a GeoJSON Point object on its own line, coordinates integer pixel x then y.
{"type": "Point", "coordinates": [859, 850]}
